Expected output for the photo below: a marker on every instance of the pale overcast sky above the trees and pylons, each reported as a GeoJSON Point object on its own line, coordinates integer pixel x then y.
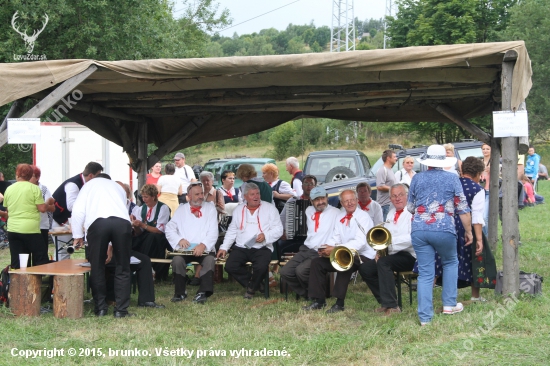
{"type": "Point", "coordinates": [300, 12]}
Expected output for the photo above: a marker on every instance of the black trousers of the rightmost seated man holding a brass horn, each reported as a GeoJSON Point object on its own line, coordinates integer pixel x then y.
{"type": "Point", "coordinates": [380, 279]}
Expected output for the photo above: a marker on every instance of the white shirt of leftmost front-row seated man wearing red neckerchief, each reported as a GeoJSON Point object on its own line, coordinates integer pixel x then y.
{"type": "Point", "coordinates": [185, 225]}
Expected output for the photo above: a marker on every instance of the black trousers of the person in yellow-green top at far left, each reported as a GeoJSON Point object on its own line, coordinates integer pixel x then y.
{"type": "Point", "coordinates": [32, 244]}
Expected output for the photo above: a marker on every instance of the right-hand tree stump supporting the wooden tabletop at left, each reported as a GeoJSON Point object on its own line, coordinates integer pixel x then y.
{"type": "Point", "coordinates": [67, 297]}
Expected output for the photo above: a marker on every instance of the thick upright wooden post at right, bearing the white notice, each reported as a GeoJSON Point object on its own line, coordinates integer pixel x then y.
{"type": "Point", "coordinates": [510, 225]}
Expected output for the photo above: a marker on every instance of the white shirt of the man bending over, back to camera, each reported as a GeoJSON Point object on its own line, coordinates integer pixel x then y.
{"type": "Point", "coordinates": [99, 198]}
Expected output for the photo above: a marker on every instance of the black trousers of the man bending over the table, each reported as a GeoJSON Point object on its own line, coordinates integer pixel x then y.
{"type": "Point", "coordinates": [119, 232]}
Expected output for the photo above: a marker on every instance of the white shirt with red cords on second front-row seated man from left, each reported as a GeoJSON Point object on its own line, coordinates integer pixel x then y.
{"type": "Point", "coordinates": [245, 225]}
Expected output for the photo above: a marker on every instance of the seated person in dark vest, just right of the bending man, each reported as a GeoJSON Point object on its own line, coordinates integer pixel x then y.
{"type": "Point", "coordinates": [148, 223]}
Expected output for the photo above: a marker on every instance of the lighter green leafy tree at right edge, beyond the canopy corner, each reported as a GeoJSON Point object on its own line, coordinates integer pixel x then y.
{"type": "Point", "coordinates": [530, 22]}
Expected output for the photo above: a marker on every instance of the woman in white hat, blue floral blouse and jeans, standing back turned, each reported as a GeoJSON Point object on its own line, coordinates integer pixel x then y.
{"type": "Point", "coordinates": [435, 196]}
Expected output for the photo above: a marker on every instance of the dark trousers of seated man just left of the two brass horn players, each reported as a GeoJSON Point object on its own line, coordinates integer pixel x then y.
{"type": "Point", "coordinates": [296, 271]}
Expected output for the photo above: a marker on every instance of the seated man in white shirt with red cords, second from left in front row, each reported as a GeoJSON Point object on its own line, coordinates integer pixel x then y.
{"type": "Point", "coordinates": [254, 229]}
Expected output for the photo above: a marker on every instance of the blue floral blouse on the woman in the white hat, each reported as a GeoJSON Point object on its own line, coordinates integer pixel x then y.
{"type": "Point", "coordinates": [434, 197]}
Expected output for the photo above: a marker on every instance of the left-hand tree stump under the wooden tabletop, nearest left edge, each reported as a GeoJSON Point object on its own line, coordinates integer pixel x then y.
{"type": "Point", "coordinates": [24, 294]}
